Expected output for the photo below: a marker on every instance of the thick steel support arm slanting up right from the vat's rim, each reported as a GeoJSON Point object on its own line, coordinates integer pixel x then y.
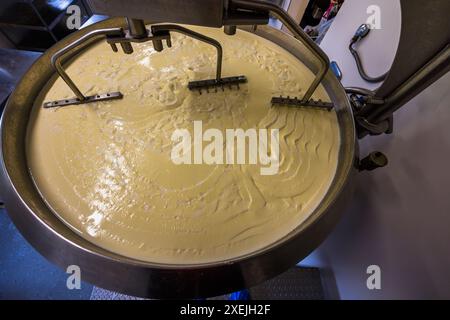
{"type": "Point", "coordinates": [426, 32]}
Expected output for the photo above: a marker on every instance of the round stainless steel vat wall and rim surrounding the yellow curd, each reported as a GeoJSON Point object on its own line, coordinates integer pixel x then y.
{"type": "Point", "coordinates": [62, 246]}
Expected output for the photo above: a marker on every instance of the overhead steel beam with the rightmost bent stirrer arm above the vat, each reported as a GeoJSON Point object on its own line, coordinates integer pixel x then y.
{"type": "Point", "coordinates": [218, 14]}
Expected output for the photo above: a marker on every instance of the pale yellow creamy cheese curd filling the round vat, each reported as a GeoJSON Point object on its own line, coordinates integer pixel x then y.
{"type": "Point", "coordinates": [106, 169]}
